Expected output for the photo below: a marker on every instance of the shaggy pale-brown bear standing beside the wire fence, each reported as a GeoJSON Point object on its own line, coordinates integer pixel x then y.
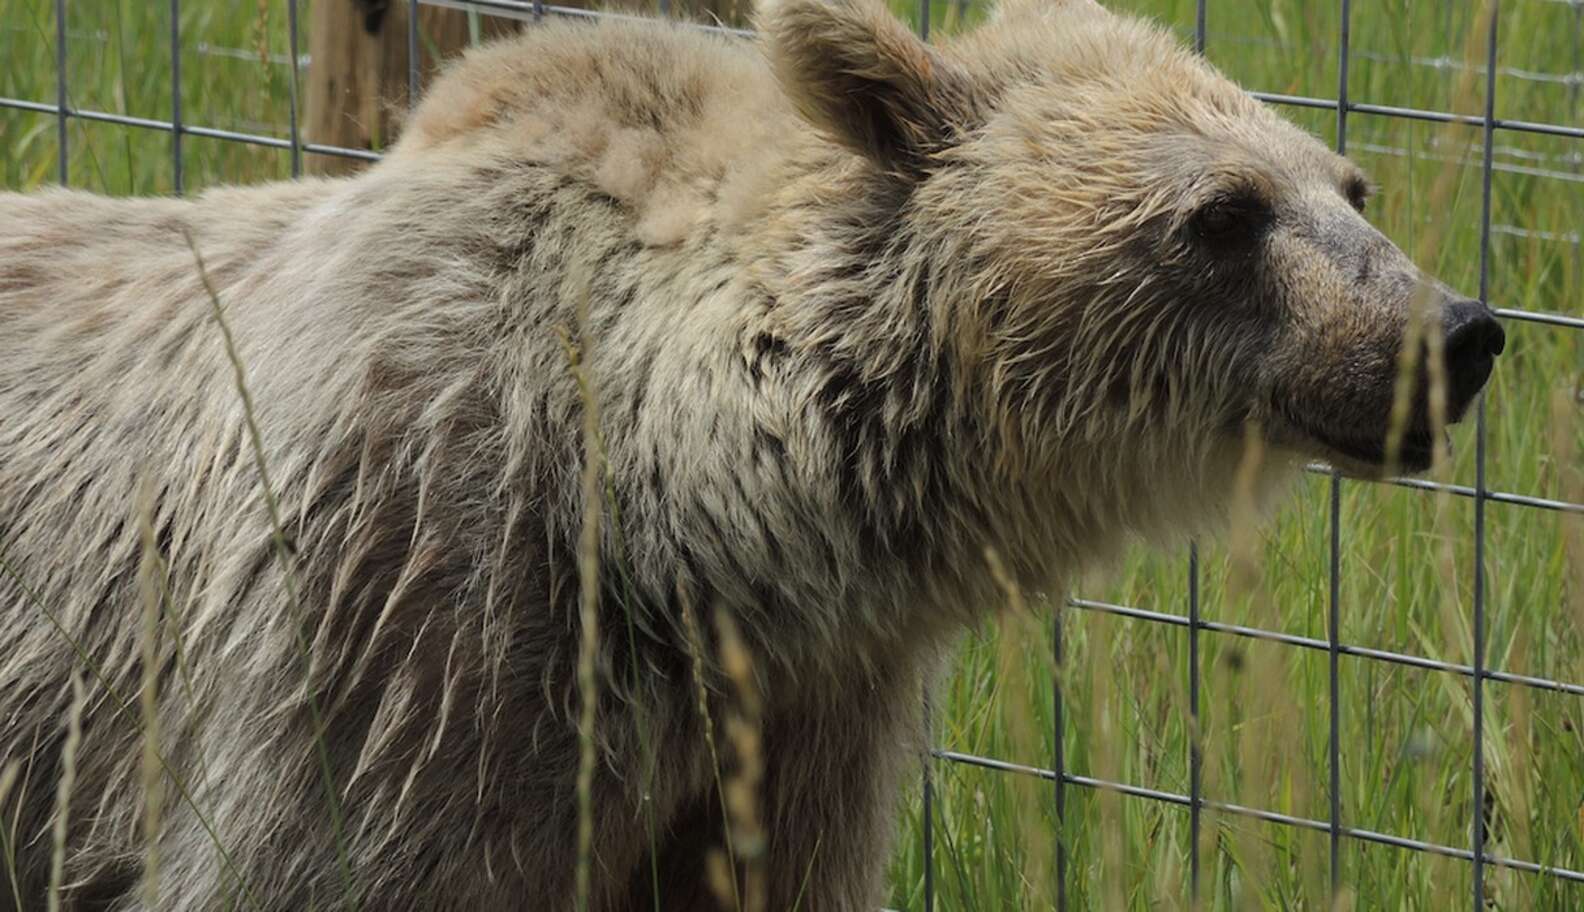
{"type": "Point", "coordinates": [633, 444]}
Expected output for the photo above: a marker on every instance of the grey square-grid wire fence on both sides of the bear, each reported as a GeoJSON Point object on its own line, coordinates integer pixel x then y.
{"type": "Point", "coordinates": [1194, 621]}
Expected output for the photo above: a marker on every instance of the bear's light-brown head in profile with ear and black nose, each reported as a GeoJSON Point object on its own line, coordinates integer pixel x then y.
{"type": "Point", "coordinates": [1137, 241]}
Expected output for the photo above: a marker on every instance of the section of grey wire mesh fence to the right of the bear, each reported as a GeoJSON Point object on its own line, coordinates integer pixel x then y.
{"type": "Point", "coordinates": [1194, 621]}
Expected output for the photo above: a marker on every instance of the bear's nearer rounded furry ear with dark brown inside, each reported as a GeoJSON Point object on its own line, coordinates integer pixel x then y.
{"type": "Point", "coordinates": [864, 78]}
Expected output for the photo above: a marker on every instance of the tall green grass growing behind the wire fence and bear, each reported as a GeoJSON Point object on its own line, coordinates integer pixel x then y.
{"type": "Point", "coordinates": [1407, 557]}
